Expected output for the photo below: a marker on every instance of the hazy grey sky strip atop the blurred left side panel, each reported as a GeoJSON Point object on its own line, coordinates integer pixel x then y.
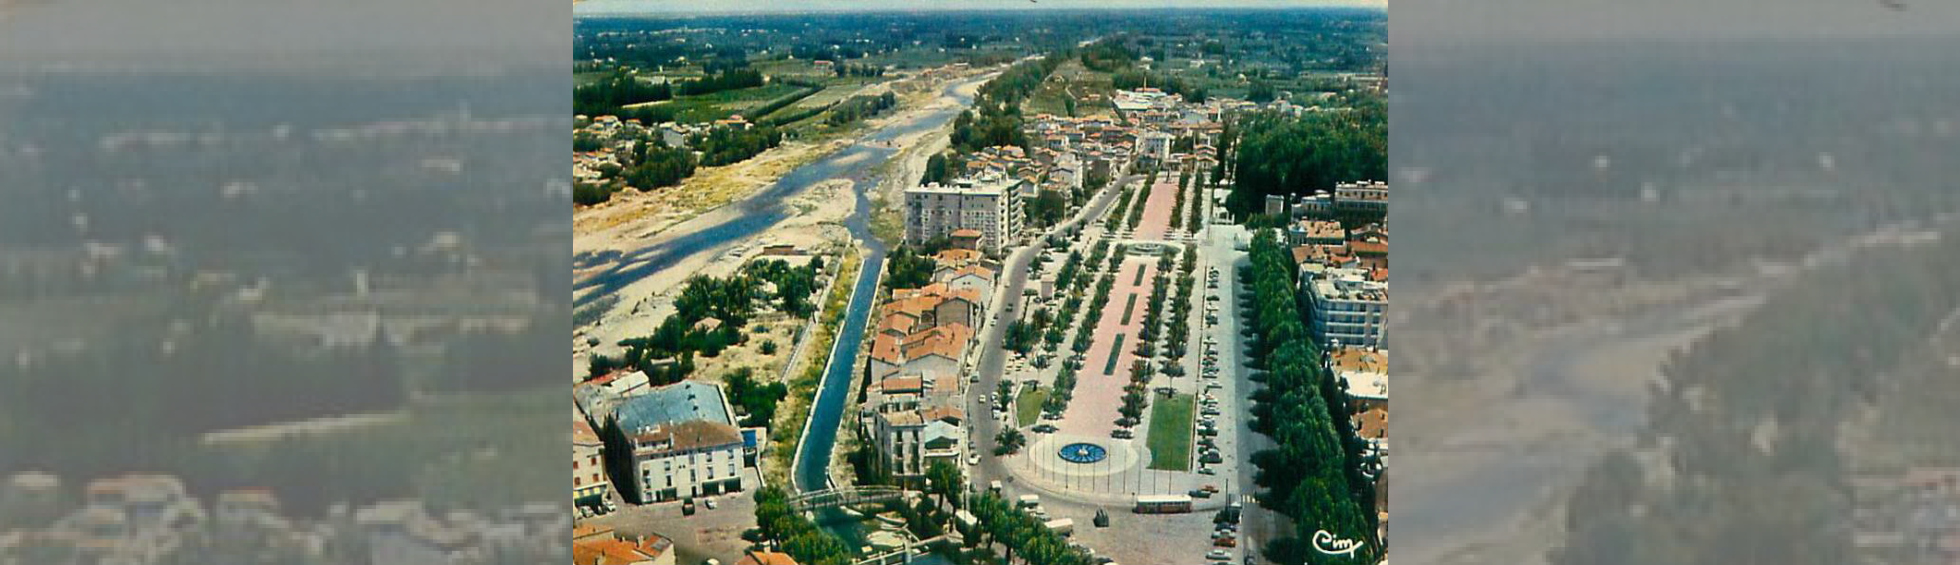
{"type": "Point", "coordinates": [279, 32]}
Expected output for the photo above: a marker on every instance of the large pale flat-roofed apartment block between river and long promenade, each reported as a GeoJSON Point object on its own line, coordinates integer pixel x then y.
{"type": "Point", "coordinates": [987, 205]}
